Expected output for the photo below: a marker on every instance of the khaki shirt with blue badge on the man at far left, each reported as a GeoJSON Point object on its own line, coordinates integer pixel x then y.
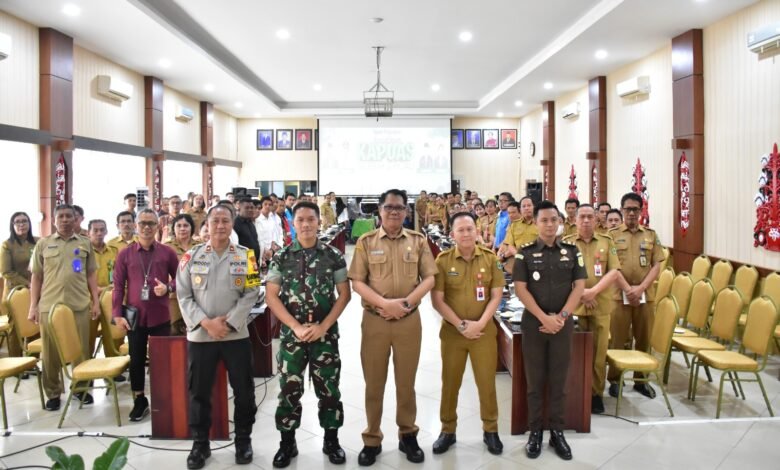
{"type": "Point", "coordinates": [64, 265]}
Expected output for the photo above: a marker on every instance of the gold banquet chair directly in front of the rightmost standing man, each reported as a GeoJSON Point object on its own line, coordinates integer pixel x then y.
{"type": "Point", "coordinates": [650, 362]}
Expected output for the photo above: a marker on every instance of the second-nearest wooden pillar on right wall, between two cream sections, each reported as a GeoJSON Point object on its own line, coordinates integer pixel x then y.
{"type": "Point", "coordinates": [597, 139]}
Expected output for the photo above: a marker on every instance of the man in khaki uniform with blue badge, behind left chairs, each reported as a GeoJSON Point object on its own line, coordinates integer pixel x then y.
{"type": "Point", "coordinates": [63, 271]}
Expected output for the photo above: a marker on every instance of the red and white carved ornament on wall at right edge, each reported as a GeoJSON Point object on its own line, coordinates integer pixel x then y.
{"type": "Point", "coordinates": [766, 233]}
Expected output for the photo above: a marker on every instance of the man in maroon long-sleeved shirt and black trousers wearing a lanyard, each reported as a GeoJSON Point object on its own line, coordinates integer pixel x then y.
{"type": "Point", "coordinates": [146, 272]}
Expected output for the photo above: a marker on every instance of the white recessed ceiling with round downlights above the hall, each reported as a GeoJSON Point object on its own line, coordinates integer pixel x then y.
{"type": "Point", "coordinates": [229, 52]}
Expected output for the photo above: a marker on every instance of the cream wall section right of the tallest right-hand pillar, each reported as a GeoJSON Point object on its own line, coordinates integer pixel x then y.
{"type": "Point", "coordinates": [742, 122]}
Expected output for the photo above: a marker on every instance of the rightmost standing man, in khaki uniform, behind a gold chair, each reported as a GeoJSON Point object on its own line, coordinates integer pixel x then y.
{"type": "Point", "coordinates": [640, 254]}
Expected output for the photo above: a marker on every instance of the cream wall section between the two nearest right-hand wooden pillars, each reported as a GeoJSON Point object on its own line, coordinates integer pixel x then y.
{"type": "Point", "coordinates": [642, 128]}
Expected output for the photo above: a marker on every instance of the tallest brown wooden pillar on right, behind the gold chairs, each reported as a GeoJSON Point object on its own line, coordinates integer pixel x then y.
{"type": "Point", "coordinates": [688, 116]}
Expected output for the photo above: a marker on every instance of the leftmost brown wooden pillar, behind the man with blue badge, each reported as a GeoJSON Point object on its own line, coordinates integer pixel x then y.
{"type": "Point", "coordinates": [56, 116]}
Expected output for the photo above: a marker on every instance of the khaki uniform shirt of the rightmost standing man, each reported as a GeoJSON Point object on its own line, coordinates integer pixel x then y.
{"type": "Point", "coordinates": [638, 252]}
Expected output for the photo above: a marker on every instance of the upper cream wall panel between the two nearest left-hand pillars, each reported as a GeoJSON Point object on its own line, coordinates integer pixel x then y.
{"type": "Point", "coordinates": [97, 116]}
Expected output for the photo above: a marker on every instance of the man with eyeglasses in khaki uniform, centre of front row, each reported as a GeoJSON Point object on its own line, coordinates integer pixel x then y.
{"type": "Point", "coordinates": [392, 270]}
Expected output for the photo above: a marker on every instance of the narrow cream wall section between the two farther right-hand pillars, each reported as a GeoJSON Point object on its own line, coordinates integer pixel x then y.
{"type": "Point", "coordinates": [571, 144]}
